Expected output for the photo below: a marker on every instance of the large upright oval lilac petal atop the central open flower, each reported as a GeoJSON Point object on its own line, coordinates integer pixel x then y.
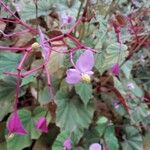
{"type": "Point", "coordinates": [85, 62]}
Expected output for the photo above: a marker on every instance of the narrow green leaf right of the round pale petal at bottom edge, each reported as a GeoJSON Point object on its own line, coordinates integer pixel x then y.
{"type": "Point", "coordinates": [111, 139]}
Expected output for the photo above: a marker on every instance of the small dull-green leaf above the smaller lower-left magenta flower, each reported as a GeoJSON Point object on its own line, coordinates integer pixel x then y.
{"type": "Point", "coordinates": [44, 96]}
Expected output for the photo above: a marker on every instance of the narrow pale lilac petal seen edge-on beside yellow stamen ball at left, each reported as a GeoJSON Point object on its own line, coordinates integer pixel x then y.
{"type": "Point", "coordinates": [45, 46]}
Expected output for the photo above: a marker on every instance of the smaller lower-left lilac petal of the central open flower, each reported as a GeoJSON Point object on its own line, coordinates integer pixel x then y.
{"type": "Point", "coordinates": [73, 76]}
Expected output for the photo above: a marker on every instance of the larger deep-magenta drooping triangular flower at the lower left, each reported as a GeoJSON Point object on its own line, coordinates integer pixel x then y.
{"type": "Point", "coordinates": [15, 126]}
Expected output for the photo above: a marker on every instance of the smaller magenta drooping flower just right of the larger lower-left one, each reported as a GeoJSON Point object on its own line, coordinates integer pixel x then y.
{"type": "Point", "coordinates": [42, 124]}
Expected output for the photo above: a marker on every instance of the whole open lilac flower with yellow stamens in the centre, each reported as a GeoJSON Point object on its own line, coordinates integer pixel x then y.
{"type": "Point", "coordinates": [83, 68]}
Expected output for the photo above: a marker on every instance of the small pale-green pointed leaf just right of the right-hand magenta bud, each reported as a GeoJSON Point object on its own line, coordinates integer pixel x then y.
{"type": "Point", "coordinates": [126, 68]}
